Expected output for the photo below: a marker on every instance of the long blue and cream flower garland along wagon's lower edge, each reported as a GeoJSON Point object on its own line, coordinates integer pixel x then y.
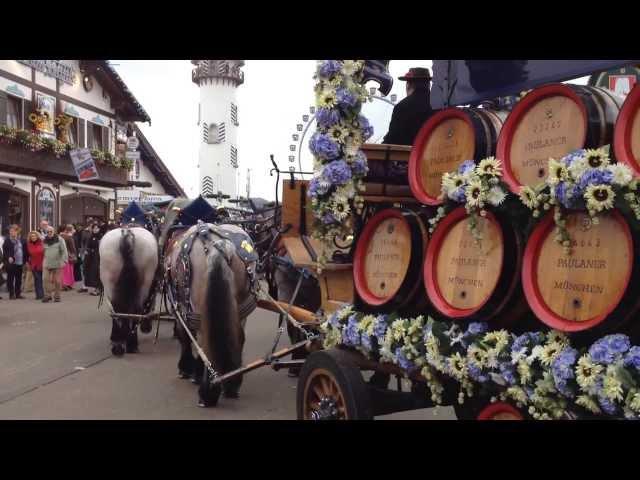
{"type": "Point", "coordinates": [541, 371]}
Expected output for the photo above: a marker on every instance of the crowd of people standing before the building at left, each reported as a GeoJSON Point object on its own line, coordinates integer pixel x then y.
{"type": "Point", "coordinates": [52, 261]}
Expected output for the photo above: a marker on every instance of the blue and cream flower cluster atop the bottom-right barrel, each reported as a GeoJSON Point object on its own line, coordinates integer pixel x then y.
{"type": "Point", "coordinates": [585, 180]}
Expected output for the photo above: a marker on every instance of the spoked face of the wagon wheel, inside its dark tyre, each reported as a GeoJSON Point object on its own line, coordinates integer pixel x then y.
{"type": "Point", "coordinates": [323, 384]}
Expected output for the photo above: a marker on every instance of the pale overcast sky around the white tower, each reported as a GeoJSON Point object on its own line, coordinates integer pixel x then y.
{"type": "Point", "coordinates": [271, 102]}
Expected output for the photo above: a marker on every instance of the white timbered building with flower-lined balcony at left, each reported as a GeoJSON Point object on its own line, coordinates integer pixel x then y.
{"type": "Point", "coordinates": [50, 106]}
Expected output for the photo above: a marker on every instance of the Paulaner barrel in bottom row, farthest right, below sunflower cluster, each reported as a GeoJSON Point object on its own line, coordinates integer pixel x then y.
{"type": "Point", "coordinates": [581, 291]}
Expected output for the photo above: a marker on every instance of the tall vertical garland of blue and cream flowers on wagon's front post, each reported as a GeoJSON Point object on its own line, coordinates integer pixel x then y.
{"type": "Point", "coordinates": [339, 163]}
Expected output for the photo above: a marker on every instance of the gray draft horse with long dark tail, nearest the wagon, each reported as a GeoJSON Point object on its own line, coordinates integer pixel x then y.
{"type": "Point", "coordinates": [211, 287]}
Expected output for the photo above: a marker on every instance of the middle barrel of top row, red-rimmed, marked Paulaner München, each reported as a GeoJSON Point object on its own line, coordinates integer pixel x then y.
{"type": "Point", "coordinates": [550, 122]}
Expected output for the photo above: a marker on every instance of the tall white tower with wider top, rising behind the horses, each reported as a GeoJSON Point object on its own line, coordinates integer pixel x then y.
{"type": "Point", "coordinates": [218, 122]}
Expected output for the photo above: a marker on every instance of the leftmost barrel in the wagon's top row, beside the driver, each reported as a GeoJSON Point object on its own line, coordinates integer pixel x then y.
{"type": "Point", "coordinates": [446, 140]}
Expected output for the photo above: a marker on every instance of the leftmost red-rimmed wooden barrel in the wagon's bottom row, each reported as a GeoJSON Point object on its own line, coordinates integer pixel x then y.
{"type": "Point", "coordinates": [388, 258]}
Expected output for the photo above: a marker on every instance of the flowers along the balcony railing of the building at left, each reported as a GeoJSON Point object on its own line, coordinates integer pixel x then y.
{"type": "Point", "coordinates": [36, 143]}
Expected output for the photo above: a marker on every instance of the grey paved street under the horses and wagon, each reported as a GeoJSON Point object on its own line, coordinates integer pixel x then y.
{"type": "Point", "coordinates": [55, 363]}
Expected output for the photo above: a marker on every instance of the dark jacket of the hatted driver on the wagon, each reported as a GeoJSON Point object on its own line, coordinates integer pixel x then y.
{"type": "Point", "coordinates": [408, 117]}
